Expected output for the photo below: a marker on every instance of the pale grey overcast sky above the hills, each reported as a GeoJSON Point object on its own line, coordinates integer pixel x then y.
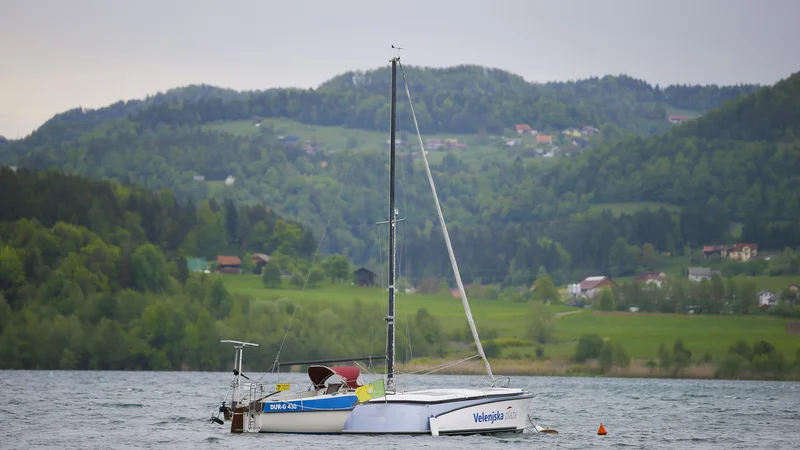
{"type": "Point", "coordinates": [59, 54]}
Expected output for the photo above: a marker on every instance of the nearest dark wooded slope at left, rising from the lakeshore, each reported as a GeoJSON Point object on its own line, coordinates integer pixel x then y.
{"type": "Point", "coordinates": [92, 276]}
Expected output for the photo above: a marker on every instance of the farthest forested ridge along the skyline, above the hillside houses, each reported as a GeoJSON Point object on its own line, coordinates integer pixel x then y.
{"type": "Point", "coordinates": [462, 99]}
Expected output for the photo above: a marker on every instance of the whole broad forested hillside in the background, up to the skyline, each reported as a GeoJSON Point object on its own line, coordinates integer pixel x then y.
{"type": "Point", "coordinates": [513, 213]}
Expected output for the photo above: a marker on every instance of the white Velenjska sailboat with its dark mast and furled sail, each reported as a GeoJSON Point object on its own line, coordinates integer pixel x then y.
{"type": "Point", "coordinates": [445, 411]}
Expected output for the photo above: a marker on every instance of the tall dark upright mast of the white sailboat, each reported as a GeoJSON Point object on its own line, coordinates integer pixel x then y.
{"type": "Point", "coordinates": [392, 219]}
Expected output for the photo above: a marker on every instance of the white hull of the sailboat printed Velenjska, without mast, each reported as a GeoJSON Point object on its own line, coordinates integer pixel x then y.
{"type": "Point", "coordinates": [442, 412]}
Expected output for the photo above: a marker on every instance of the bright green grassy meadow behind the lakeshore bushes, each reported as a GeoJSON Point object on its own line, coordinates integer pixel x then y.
{"type": "Point", "coordinates": [639, 333]}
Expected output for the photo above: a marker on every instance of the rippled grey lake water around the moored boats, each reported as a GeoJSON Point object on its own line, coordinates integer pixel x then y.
{"type": "Point", "coordinates": [92, 410]}
